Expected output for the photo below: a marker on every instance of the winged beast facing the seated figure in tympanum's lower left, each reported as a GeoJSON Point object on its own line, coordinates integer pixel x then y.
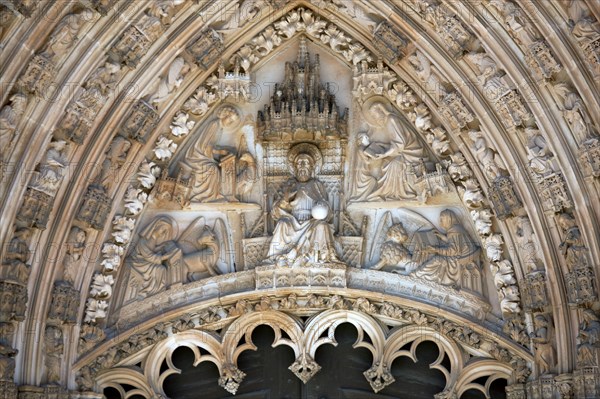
{"type": "Point", "coordinates": [204, 249]}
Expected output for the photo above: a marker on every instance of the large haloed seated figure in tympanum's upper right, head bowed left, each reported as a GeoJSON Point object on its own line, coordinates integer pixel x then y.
{"type": "Point", "coordinates": [402, 156]}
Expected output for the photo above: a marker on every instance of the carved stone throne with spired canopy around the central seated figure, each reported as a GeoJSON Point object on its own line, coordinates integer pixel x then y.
{"type": "Point", "coordinates": [303, 110]}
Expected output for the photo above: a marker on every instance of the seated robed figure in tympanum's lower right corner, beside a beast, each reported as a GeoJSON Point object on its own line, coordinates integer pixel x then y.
{"type": "Point", "coordinates": [455, 252]}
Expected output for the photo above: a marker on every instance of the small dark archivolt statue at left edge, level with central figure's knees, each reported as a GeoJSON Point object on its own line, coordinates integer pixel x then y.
{"type": "Point", "coordinates": [14, 264]}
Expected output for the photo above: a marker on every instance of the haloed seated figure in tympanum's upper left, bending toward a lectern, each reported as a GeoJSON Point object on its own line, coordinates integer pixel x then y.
{"type": "Point", "coordinates": [200, 158]}
